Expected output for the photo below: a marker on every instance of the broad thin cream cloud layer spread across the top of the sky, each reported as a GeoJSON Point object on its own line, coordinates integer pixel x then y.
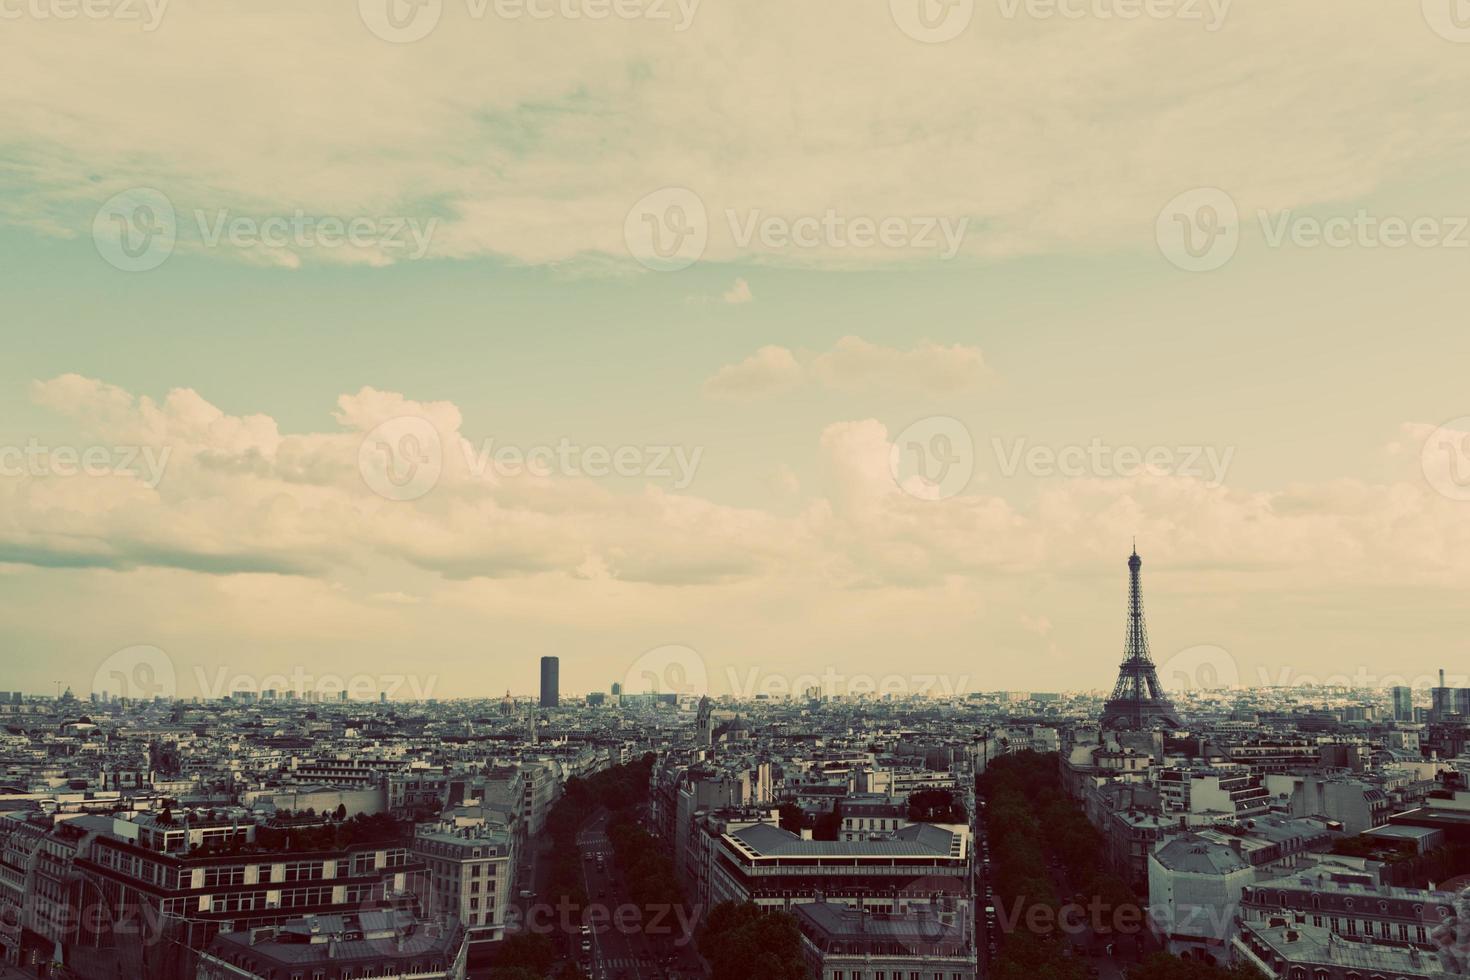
{"type": "Point", "coordinates": [533, 139]}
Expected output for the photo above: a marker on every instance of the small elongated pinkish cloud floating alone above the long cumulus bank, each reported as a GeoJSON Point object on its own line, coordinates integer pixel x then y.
{"type": "Point", "coordinates": [853, 365]}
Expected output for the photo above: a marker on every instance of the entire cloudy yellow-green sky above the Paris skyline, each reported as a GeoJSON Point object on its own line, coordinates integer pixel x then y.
{"type": "Point", "coordinates": [728, 346]}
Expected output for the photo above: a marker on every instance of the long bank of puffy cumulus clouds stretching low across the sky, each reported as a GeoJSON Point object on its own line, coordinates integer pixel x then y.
{"type": "Point", "coordinates": [240, 497]}
